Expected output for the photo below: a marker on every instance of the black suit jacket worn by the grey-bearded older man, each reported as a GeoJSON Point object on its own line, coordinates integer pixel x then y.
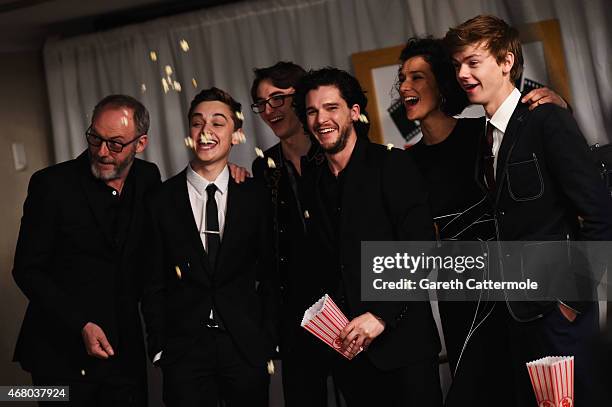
{"type": "Point", "coordinates": [69, 268]}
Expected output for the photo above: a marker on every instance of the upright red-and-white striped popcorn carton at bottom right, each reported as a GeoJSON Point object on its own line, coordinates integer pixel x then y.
{"type": "Point", "coordinates": [552, 379]}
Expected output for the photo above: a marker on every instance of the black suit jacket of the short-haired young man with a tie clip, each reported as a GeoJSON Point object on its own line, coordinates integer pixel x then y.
{"type": "Point", "coordinates": [242, 287]}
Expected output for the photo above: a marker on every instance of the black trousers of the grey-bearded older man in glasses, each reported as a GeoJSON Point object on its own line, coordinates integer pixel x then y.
{"type": "Point", "coordinates": [112, 391]}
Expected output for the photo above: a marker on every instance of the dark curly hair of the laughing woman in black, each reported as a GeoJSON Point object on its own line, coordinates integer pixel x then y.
{"type": "Point", "coordinates": [454, 99]}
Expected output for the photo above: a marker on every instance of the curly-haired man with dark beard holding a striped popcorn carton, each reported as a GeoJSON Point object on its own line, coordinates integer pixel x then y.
{"type": "Point", "coordinates": [363, 192]}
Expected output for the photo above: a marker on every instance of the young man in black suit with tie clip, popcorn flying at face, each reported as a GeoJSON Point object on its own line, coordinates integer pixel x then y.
{"type": "Point", "coordinates": [210, 305]}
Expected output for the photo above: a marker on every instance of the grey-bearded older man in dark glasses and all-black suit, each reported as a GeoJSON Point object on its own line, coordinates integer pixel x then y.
{"type": "Point", "coordinates": [78, 259]}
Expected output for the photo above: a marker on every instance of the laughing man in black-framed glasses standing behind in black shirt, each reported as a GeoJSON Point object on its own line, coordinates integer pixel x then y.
{"type": "Point", "coordinates": [272, 92]}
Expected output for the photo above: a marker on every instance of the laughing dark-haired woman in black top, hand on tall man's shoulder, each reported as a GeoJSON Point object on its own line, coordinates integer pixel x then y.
{"type": "Point", "coordinates": [446, 156]}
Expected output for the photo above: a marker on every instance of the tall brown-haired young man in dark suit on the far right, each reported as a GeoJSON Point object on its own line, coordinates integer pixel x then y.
{"type": "Point", "coordinates": [540, 178]}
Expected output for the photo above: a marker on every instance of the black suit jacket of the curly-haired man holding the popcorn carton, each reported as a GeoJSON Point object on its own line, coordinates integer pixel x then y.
{"type": "Point", "coordinates": [383, 199]}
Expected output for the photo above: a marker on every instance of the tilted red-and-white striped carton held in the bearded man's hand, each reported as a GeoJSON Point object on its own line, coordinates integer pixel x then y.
{"type": "Point", "coordinates": [325, 321]}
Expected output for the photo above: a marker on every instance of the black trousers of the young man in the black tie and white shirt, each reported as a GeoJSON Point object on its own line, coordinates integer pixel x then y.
{"type": "Point", "coordinates": [211, 370]}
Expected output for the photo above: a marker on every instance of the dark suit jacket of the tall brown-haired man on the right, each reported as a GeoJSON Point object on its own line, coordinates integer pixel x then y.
{"type": "Point", "coordinates": [545, 179]}
